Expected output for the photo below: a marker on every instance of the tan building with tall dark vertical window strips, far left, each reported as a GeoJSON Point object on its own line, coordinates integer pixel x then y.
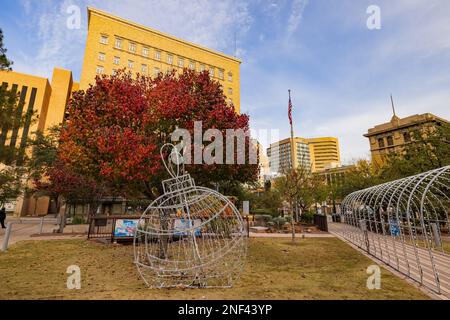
{"type": "Point", "coordinates": [47, 100]}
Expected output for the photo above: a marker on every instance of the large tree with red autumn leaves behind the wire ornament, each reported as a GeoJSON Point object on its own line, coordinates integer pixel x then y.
{"type": "Point", "coordinates": [116, 127]}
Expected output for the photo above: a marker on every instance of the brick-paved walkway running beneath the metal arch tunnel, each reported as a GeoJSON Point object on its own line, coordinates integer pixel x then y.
{"type": "Point", "coordinates": [429, 268]}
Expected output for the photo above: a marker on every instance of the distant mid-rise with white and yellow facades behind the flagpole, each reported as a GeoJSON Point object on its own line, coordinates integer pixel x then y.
{"type": "Point", "coordinates": [315, 154]}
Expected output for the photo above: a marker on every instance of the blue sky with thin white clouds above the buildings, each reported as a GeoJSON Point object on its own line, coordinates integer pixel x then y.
{"type": "Point", "coordinates": [340, 72]}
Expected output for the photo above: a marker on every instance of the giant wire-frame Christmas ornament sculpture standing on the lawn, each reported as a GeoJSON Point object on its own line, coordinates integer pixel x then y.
{"type": "Point", "coordinates": [189, 237]}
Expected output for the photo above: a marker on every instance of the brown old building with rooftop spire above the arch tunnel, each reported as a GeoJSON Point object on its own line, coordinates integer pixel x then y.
{"type": "Point", "coordinates": [394, 135]}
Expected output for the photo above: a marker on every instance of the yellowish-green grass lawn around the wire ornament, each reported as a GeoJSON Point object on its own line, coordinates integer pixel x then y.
{"type": "Point", "coordinates": [275, 269]}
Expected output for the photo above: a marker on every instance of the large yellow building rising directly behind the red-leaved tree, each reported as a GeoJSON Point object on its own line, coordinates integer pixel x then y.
{"type": "Point", "coordinates": [114, 43]}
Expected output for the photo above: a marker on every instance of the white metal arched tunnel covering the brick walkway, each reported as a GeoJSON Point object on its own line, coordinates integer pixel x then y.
{"type": "Point", "coordinates": [404, 223]}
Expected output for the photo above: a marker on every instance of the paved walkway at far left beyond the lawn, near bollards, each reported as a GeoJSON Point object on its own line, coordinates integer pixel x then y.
{"type": "Point", "coordinates": [30, 231]}
